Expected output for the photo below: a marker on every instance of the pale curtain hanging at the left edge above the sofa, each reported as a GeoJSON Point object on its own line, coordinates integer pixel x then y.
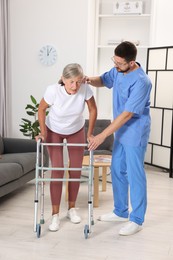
{"type": "Point", "coordinates": [4, 70]}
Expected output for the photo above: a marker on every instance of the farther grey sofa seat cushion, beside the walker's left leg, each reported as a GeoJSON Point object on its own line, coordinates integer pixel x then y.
{"type": "Point", "coordinates": [25, 160]}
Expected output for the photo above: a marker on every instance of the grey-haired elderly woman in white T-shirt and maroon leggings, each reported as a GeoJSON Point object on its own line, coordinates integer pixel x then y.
{"type": "Point", "coordinates": [65, 120]}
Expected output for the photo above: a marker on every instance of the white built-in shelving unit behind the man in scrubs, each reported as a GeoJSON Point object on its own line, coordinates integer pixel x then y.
{"type": "Point", "coordinates": [114, 27]}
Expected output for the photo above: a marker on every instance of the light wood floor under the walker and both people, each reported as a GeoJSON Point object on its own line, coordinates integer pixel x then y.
{"type": "Point", "coordinates": [154, 242]}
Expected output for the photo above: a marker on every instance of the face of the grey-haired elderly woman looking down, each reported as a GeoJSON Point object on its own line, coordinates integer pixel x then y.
{"type": "Point", "coordinates": [72, 85]}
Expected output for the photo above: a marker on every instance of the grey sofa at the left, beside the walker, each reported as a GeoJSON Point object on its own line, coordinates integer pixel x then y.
{"type": "Point", "coordinates": [17, 163]}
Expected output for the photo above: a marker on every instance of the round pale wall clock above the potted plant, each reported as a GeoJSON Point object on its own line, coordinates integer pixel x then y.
{"type": "Point", "coordinates": [48, 55]}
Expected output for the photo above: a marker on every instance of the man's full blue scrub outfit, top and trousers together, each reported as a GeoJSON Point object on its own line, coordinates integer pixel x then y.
{"type": "Point", "coordinates": [131, 92]}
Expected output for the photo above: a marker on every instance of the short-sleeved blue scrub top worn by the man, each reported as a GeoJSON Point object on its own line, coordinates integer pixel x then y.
{"type": "Point", "coordinates": [131, 92]}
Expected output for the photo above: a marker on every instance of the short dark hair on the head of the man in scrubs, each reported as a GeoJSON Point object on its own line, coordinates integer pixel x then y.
{"type": "Point", "coordinates": [126, 50]}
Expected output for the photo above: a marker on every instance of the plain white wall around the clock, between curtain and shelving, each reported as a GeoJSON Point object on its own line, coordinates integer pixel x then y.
{"type": "Point", "coordinates": [33, 24]}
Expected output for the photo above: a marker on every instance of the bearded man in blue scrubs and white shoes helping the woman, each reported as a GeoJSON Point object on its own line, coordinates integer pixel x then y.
{"type": "Point", "coordinates": [131, 125]}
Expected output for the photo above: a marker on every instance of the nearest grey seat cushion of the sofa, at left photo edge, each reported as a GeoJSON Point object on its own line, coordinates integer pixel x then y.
{"type": "Point", "coordinates": [10, 172]}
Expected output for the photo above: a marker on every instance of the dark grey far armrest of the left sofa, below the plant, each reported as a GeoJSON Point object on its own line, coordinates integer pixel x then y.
{"type": "Point", "coordinates": [19, 145]}
